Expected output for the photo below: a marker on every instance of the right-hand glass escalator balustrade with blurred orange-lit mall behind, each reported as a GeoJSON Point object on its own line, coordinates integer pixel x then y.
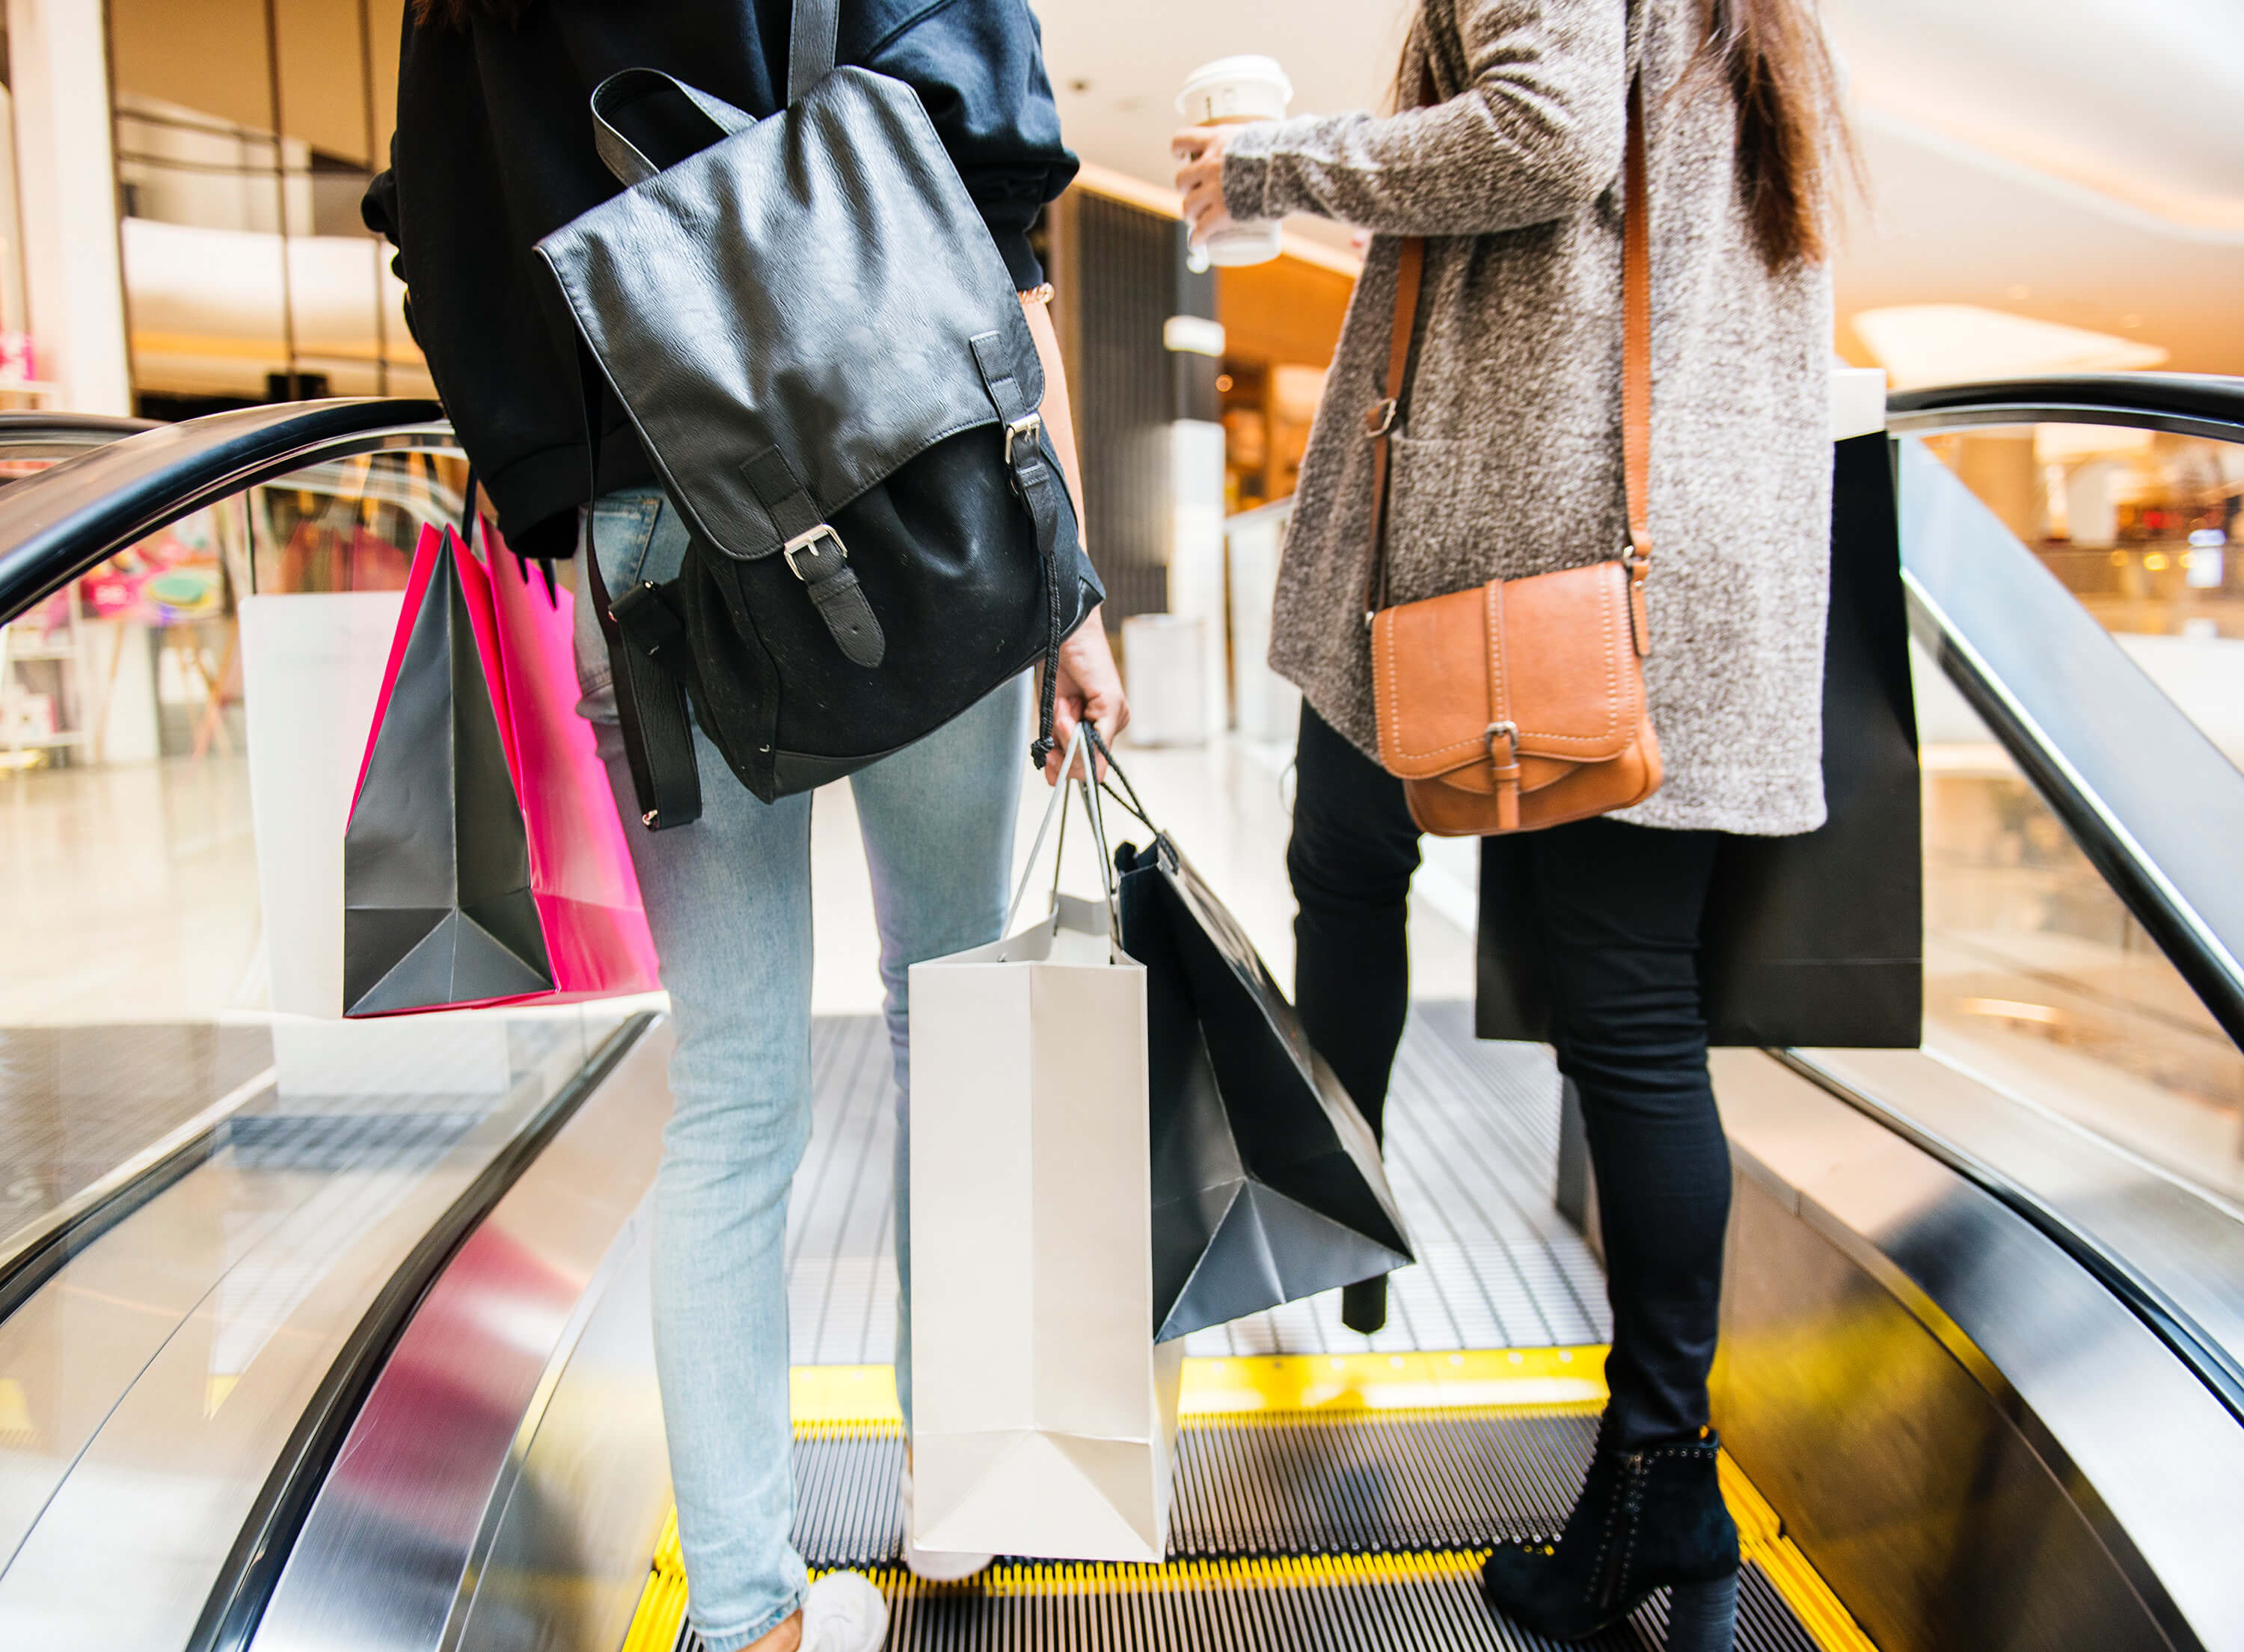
{"type": "Point", "coordinates": [2036, 973]}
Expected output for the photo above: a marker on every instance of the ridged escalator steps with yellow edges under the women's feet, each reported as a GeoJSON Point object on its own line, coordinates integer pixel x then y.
{"type": "Point", "coordinates": [1359, 1527]}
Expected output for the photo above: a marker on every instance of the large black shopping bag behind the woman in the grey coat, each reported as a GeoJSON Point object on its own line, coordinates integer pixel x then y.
{"type": "Point", "coordinates": [1812, 939]}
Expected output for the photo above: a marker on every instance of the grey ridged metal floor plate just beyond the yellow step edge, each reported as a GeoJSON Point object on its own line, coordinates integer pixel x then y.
{"type": "Point", "coordinates": [1473, 1144]}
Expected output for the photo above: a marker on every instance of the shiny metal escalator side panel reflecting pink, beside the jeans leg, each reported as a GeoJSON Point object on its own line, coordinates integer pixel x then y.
{"type": "Point", "coordinates": [508, 1433]}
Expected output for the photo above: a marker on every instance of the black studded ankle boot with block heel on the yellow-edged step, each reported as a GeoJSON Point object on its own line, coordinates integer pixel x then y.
{"type": "Point", "coordinates": [1646, 1521]}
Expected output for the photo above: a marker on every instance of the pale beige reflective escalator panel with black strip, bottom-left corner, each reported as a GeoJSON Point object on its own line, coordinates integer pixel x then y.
{"type": "Point", "coordinates": [192, 1348]}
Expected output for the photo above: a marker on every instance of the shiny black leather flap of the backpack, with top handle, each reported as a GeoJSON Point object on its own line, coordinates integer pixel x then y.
{"type": "Point", "coordinates": [816, 284]}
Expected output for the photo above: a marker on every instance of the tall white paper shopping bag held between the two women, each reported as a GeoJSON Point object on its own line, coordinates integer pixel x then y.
{"type": "Point", "coordinates": [1045, 1415]}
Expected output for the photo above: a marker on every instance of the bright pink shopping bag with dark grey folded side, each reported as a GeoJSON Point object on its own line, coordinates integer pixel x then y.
{"type": "Point", "coordinates": [484, 861]}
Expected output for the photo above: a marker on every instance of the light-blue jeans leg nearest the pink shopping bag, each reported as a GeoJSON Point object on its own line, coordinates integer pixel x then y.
{"type": "Point", "coordinates": [728, 901]}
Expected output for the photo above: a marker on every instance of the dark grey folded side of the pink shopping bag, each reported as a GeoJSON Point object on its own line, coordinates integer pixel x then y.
{"type": "Point", "coordinates": [436, 859]}
